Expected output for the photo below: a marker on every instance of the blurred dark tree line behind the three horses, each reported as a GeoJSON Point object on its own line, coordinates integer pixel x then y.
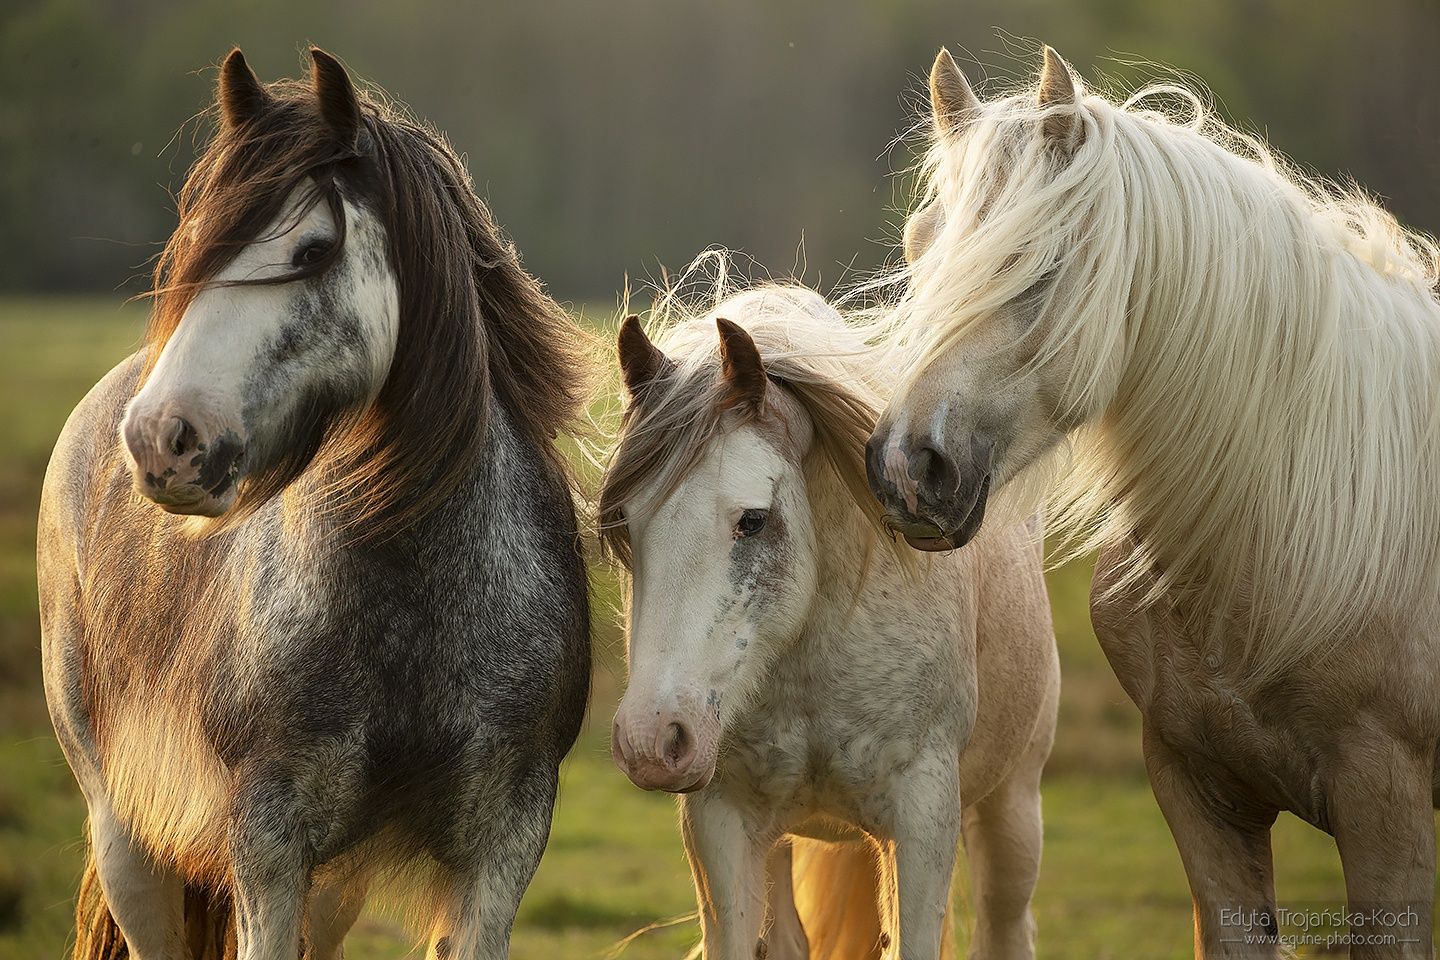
{"type": "Point", "coordinates": [614, 137]}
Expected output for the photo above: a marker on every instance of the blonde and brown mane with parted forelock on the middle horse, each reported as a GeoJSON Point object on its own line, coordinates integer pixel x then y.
{"type": "Point", "coordinates": [809, 349]}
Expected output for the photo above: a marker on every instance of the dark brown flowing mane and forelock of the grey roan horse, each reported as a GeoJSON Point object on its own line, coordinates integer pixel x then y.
{"type": "Point", "coordinates": [473, 323]}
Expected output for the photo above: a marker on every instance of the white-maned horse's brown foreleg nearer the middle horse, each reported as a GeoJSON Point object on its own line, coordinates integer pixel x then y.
{"type": "Point", "coordinates": [1226, 853]}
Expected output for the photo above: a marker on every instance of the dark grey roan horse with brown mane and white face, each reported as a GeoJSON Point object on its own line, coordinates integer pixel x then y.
{"type": "Point", "coordinates": [312, 598]}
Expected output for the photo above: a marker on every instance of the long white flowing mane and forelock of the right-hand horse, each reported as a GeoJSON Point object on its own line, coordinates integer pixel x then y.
{"type": "Point", "coordinates": [1258, 355]}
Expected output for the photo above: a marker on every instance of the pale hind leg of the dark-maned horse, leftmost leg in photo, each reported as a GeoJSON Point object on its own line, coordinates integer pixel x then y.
{"type": "Point", "coordinates": [146, 900]}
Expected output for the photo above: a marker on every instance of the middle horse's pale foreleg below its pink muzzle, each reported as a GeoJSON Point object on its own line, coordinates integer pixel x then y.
{"type": "Point", "coordinates": [728, 861]}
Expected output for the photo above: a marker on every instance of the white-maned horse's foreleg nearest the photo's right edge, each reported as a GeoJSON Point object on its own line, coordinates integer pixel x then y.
{"type": "Point", "coordinates": [1380, 811]}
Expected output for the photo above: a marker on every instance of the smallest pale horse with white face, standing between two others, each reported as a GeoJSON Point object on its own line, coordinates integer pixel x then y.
{"type": "Point", "coordinates": [791, 677]}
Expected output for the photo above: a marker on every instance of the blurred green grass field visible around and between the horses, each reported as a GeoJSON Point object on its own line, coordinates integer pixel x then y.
{"type": "Point", "coordinates": [1111, 886]}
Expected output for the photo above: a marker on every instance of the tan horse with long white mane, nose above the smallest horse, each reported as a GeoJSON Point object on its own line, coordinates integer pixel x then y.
{"type": "Point", "coordinates": [1242, 365]}
